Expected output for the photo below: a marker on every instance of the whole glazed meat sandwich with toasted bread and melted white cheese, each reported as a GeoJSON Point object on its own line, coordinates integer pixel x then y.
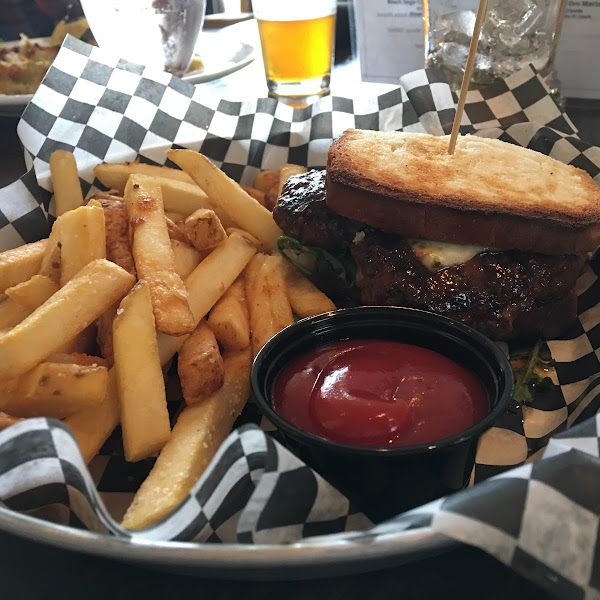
{"type": "Point", "coordinates": [494, 235]}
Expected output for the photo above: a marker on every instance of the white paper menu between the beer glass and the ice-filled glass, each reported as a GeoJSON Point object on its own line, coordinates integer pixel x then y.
{"type": "Point", "coordinates": [389, 38]}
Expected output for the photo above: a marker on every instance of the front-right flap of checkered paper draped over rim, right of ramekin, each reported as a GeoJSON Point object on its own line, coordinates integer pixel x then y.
{"type": "Point", "coordinates": [536, 518]}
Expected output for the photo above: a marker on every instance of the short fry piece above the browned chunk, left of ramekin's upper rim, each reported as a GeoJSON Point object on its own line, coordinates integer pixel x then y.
{"type": "Point", "coordinates": [229, 318]}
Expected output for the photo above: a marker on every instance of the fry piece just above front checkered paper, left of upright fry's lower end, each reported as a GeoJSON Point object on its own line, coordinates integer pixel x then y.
{"type": "Point", "coordinates": [92, 426]}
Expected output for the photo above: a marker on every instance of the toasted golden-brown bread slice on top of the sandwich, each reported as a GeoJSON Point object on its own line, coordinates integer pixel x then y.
{"type": "Point", "coordinates": [488, 193]}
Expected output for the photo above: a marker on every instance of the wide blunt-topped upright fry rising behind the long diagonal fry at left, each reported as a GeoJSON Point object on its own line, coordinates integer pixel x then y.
{"type": "Point", "coordinates": [82, 239]}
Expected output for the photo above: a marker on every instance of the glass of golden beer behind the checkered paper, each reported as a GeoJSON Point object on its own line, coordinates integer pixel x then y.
{"type": "Point", "coordinates": [297, 40]}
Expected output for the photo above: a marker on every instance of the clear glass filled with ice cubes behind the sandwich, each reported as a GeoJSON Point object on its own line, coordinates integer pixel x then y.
{"type": "Point", "coordinates": [515, 33]}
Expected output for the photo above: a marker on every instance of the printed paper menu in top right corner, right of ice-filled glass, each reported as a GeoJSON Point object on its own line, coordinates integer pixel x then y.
{"type": "Point", "coordinates": [578, 47]}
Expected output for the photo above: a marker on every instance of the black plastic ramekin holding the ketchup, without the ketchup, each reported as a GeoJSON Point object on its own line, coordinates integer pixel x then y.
{"type": "Point", "coordinates": [384, 482]}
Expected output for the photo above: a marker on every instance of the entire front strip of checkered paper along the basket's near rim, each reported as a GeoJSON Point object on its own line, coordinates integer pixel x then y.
{"type": "Point", "coordinates": [540, 518]}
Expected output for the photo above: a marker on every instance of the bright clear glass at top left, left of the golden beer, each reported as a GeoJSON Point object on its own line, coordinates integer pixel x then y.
{"type": "Point", "coordinates": [158, 33]}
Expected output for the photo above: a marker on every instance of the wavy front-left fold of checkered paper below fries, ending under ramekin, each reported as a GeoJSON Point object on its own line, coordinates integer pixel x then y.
{"type": "Point", "coordinates": [254, 490]}
